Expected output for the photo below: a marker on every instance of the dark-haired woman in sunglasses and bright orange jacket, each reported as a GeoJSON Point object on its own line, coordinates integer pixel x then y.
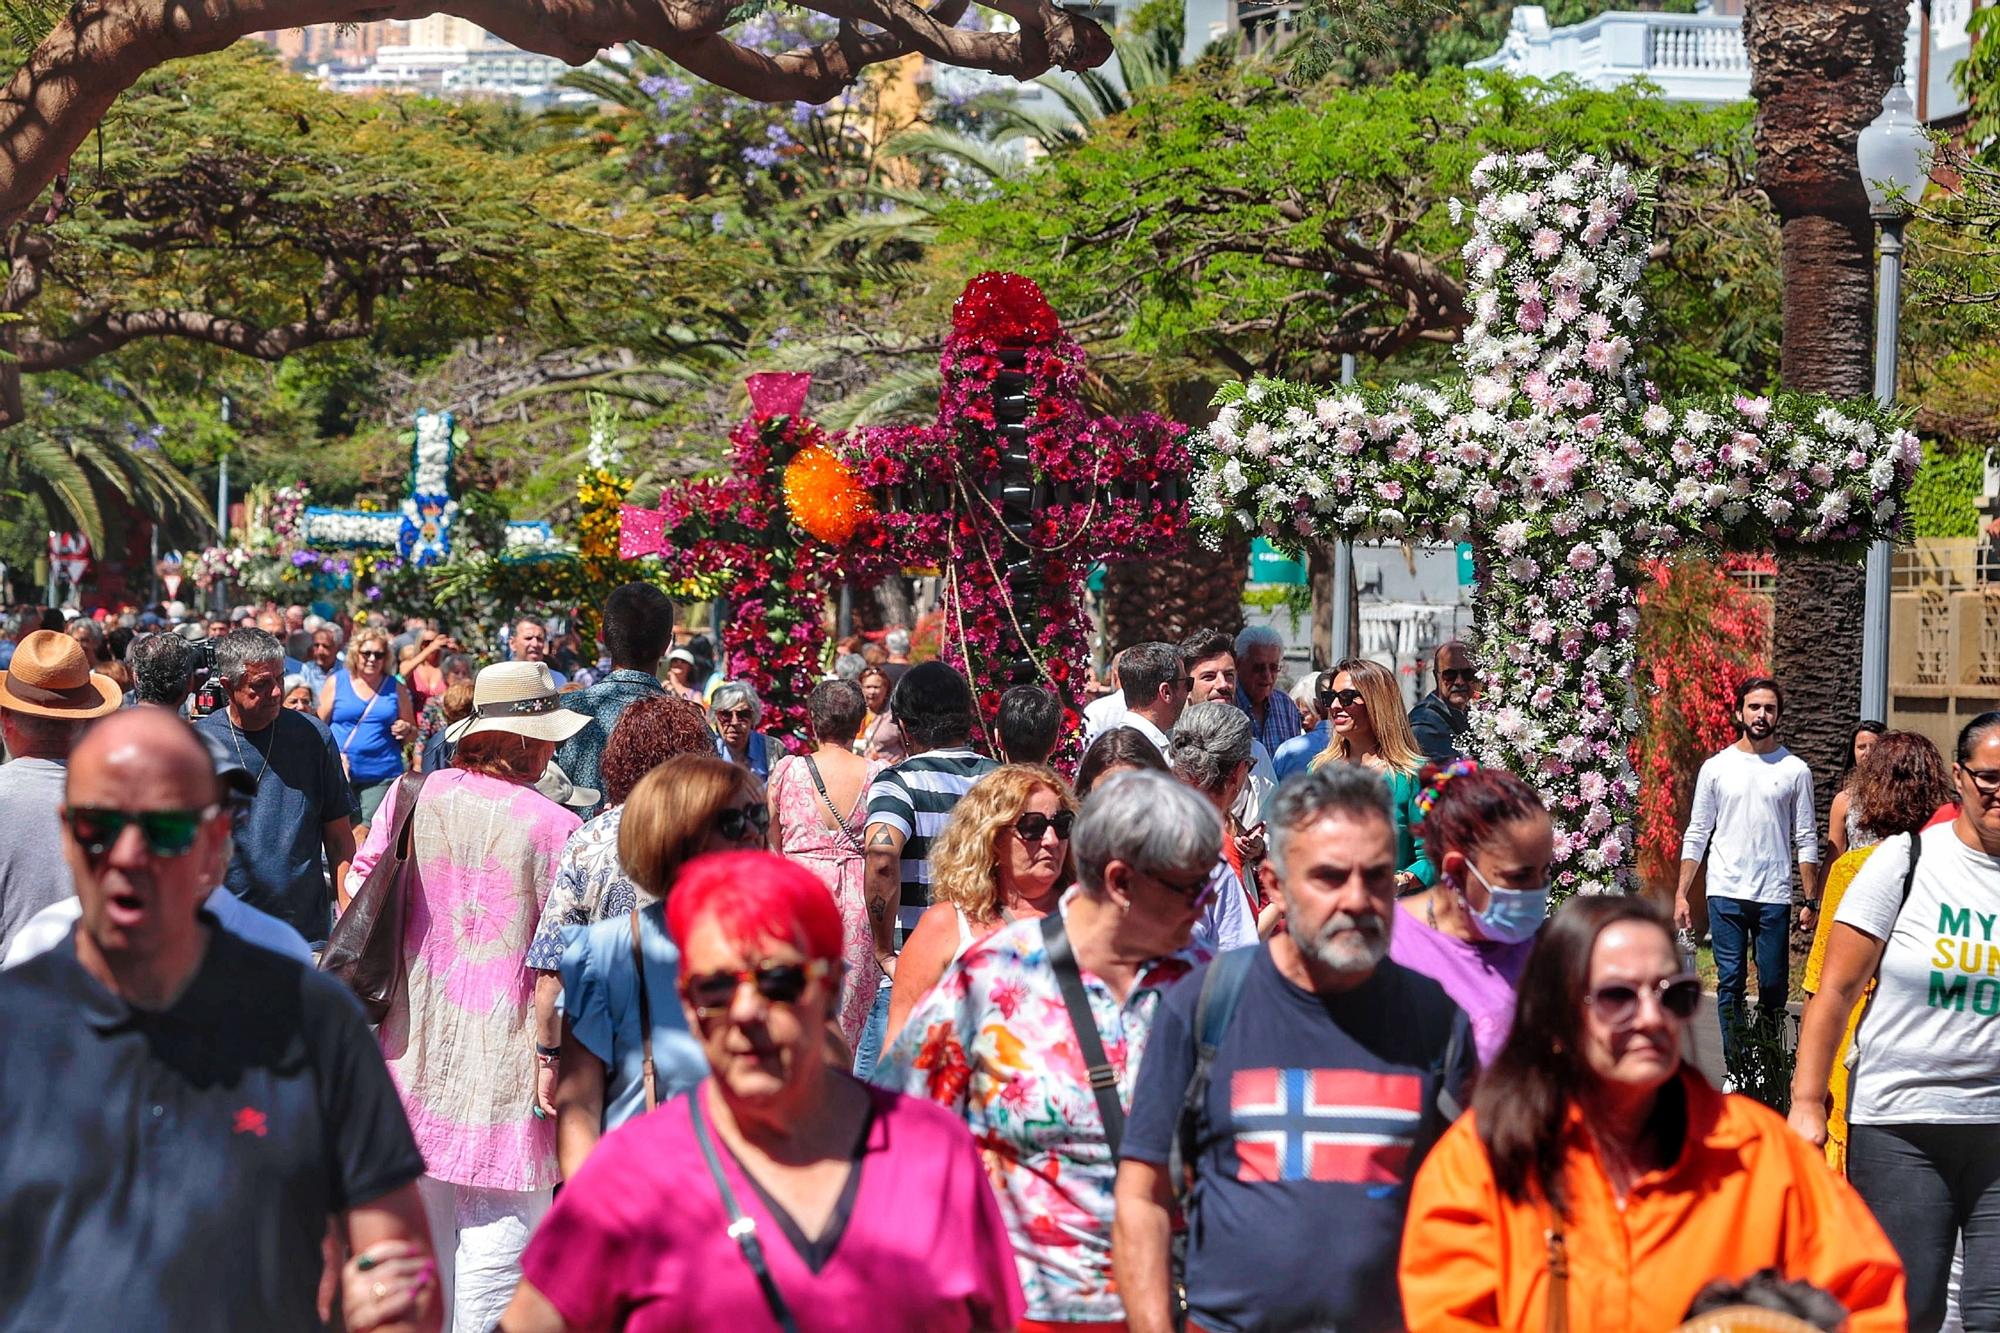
{"type": "Point", "coordinates": [1599, 1184]}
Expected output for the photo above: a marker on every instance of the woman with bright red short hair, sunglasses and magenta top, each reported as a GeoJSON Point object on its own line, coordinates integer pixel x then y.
{"type": "Point", "coordinates": [781, 1190]}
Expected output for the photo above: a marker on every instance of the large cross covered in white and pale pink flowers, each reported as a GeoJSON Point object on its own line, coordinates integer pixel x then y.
{"type": "Point", "coordinates": [1563, 469]}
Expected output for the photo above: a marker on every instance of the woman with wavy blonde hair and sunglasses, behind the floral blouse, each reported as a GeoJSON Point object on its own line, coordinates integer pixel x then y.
{"type": "Point", "coordinates": [1003, 858]}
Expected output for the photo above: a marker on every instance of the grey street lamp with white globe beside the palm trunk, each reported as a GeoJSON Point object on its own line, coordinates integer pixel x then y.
{"type": "Point", "coordinates": [1895, 159]}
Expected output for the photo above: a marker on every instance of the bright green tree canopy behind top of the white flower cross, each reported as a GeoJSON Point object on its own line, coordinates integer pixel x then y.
{"type": "Point", "coordinates": [1265, 229]}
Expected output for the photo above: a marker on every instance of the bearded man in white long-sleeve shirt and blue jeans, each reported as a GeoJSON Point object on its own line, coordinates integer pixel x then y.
{"type": "Point", "coordinates": [1753, 818]}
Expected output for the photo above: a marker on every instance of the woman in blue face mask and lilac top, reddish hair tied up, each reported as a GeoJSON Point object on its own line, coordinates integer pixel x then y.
{"type": "Point", "coordinates": [1491, 840]}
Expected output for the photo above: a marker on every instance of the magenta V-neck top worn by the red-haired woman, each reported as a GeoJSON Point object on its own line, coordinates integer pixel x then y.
{"type": "Point", "coordinates": [641, 1240]}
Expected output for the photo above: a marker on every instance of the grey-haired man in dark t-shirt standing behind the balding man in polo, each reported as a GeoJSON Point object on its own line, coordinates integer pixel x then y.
{"type": "Point", "coordinates": [303, 804]}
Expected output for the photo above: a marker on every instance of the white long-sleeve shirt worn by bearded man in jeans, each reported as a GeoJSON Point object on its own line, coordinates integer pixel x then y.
{"type": "Point", "coordinates": [1753, 816]}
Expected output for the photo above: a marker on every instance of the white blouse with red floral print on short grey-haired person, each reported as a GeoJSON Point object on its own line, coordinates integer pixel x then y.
{"type": "Point", "coordinates": [993, 1042]}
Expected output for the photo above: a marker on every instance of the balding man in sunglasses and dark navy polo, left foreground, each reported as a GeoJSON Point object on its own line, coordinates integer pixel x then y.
{"type": "Point", "coordinates": [181, 1114]}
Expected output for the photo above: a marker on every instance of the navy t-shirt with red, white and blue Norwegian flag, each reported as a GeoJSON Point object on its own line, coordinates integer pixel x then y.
{"type": "Point", "coordinates": [1317, 1118]}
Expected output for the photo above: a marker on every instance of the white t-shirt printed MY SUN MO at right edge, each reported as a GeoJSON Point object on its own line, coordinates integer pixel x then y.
{"type": "Point", "coordinates": [1929, 1050]}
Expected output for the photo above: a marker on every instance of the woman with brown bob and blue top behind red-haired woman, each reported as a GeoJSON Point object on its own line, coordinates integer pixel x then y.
{"type": "Point", "coordinates": [621, 1018]}
